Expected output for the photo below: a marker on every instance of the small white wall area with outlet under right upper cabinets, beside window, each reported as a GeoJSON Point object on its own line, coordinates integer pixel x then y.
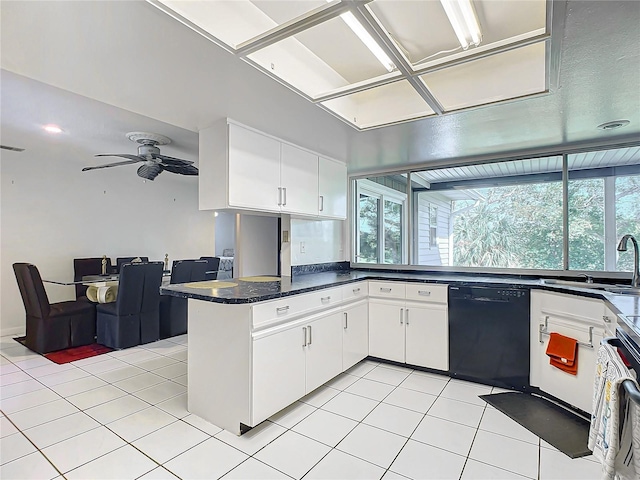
{"type": "Point", "coordinates": [324, 241]}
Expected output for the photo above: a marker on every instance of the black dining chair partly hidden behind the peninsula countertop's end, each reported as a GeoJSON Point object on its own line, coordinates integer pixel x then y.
{"type": "Point", "coordinates": [173, 310]}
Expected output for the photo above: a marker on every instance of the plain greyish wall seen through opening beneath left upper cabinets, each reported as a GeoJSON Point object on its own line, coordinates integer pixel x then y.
{"type": "Point", "coordinates": [256, 246]}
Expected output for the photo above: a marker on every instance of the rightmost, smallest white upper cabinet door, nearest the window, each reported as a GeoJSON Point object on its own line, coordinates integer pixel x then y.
{"type": "Point", "coordinates": [332, 188]}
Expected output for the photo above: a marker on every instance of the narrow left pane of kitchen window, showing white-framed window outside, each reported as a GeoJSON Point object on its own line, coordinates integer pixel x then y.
{"type": "Point", "coordinates": [381, 220]}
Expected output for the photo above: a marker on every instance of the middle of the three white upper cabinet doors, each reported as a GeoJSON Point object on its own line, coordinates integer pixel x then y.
{"type": "Point", "coordinates": [299, 180]}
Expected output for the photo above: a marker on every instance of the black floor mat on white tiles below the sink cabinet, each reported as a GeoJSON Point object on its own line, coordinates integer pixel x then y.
{"type": "Point", "coordinates": [558, 426]}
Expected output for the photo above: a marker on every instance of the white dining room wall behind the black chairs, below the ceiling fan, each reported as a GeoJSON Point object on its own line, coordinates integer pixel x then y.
{"type": "Point", "coordinates": [51, 212]}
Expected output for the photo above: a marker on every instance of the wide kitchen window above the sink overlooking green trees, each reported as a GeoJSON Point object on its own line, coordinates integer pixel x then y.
{"type": "Point", "coordinates": [511, 215]}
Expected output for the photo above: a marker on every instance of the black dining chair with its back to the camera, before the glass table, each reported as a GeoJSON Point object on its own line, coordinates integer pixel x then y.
{"type": "Point", "coordinates": [134, 318]}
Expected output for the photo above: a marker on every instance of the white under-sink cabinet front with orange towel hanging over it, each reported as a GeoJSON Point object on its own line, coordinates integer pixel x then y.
{"type": "Point", "coordinates": [576, 390]}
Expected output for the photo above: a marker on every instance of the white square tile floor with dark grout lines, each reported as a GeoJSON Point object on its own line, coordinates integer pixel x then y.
{"type": "Point", "coordinates": [124, 415]}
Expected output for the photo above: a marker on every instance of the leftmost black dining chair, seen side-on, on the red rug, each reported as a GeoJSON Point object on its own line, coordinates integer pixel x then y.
{"type": "Point", "coordinates": [52, 326]}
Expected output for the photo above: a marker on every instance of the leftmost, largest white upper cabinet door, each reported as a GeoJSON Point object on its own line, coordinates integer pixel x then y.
{"type": "Point", "coordinates": [254, 170]}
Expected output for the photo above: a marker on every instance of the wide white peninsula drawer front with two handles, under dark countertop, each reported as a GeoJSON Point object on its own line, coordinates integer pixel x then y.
{"type": "Point", "coordinates": [265, 313]}
